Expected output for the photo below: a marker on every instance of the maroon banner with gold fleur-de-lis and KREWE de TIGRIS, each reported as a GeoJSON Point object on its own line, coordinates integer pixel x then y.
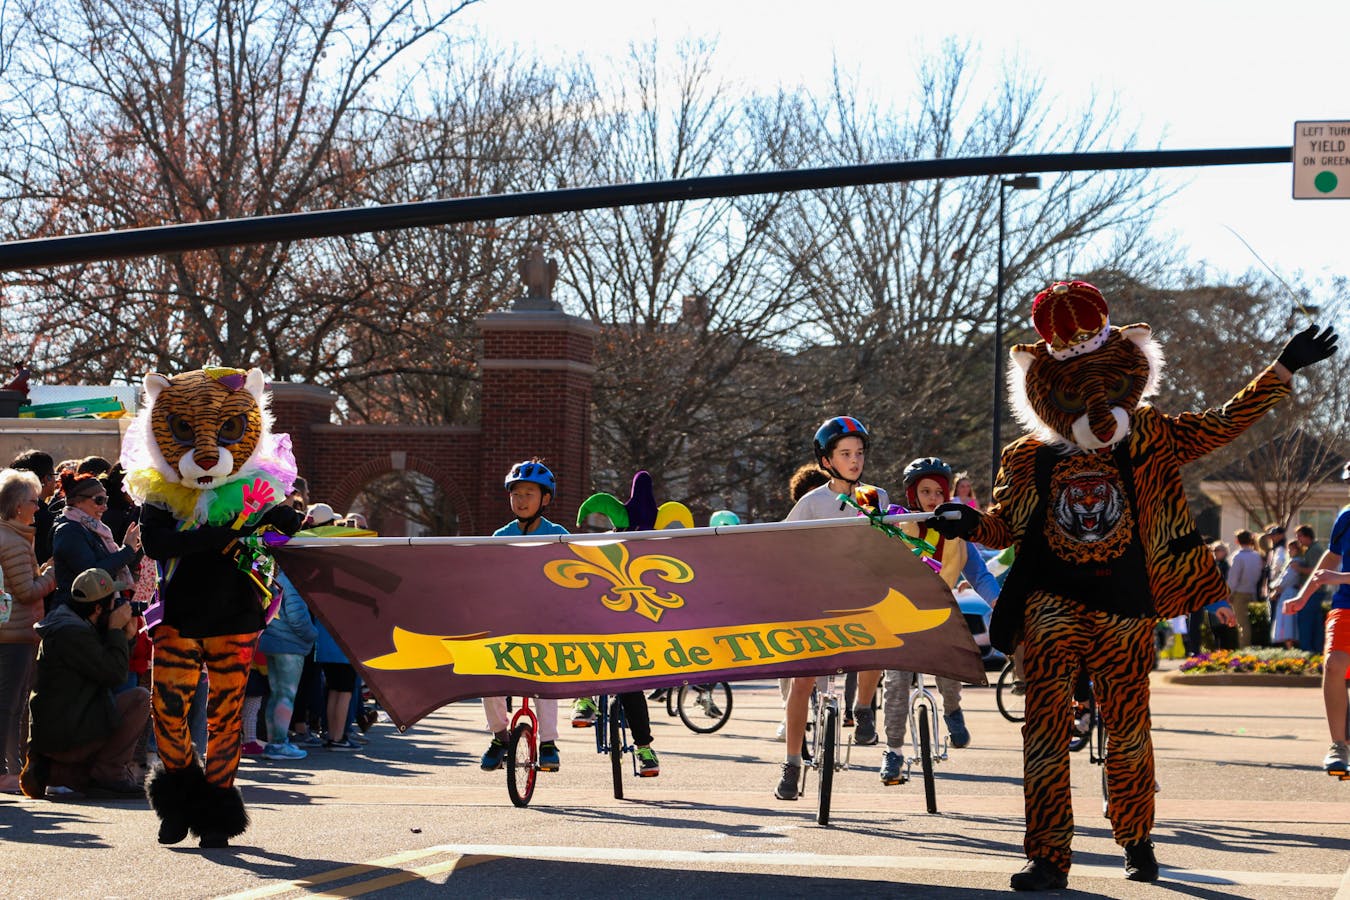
{"type": "Point", "coordinates": [430, 623]}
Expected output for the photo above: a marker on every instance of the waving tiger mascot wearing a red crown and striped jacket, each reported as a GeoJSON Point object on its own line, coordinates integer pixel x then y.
{"type": "Point", "coordinates": [1091, 499]}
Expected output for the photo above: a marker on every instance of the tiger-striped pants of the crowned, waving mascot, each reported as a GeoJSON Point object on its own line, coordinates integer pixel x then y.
{"type": "Point", "coordinates": [1060, 639]}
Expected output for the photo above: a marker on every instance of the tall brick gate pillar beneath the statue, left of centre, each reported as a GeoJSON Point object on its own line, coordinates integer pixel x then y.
{"type": "Point", "coordinates": [538, 373]}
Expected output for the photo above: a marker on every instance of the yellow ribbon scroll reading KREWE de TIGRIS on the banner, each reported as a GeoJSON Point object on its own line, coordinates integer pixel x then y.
{"type": "Point", "coordinates": [587, 658]}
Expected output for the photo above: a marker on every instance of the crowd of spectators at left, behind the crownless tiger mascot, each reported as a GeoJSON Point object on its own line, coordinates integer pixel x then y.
{"type": "Point", "coordinates": [75, 656]}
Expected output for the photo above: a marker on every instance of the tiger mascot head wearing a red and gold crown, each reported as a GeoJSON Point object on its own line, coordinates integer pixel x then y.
{"type": "Point", "coordinates": [1079, 384]}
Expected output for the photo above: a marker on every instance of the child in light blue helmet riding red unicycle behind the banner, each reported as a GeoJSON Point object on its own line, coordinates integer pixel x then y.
{"type": "Point", "coordinates": [531, 486]}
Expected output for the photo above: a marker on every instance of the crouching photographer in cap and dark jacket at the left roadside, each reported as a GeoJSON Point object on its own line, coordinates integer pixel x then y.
{"type": "Point", "coordinates": [83, 736]}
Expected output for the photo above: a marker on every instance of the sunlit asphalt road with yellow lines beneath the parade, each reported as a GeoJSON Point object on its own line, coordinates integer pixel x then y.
{"type": "Point", "coordinates": [1244, 812]}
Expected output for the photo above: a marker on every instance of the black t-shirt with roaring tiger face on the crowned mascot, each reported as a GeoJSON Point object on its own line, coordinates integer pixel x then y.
{"type": "Point", "coordinates": [1093, 538]}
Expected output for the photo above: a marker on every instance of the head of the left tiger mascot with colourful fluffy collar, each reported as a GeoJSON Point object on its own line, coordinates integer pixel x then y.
{"type": "Point", "coordinates": [203, 446]}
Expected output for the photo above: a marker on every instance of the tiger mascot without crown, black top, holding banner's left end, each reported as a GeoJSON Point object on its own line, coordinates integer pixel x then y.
{"type": "Point", "coordinates": [207, 470]}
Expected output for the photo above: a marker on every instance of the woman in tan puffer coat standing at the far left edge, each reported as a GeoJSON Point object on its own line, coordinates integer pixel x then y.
{"type": "Point", "coordinates": [29, 585]}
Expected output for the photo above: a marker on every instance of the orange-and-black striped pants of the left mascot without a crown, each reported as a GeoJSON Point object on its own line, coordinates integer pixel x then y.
{"type": "Point", "coordinates": [178, 666]}
